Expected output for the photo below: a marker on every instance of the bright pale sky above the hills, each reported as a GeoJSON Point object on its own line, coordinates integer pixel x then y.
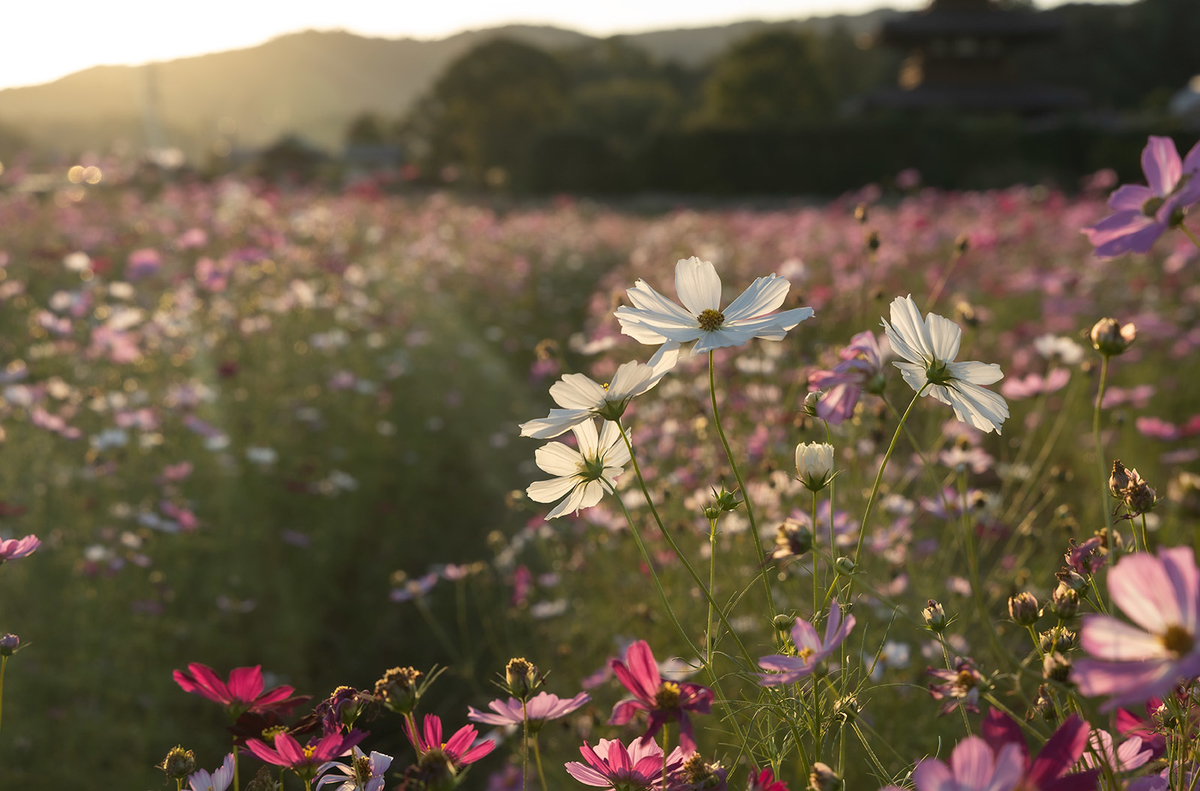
{"type": "Point", "coordinates": [50, 39]}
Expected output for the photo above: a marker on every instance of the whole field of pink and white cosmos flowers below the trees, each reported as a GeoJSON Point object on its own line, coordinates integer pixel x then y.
{"type": "Point", "coordinates": [415, 492]}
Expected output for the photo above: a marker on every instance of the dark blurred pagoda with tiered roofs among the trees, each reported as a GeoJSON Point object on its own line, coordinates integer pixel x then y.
{"type": "Point", "coordinates": [959, 61]}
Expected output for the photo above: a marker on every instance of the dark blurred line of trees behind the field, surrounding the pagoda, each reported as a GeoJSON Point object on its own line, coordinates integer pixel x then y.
{"type": "Point", "coordinates": [777, 112]}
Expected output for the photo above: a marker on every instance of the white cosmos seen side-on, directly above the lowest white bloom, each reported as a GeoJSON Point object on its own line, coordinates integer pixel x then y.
{"type": "Point", "coordinates": [583, 398]}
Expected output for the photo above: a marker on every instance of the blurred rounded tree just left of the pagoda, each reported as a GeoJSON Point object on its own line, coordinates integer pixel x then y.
{"type": "Point", "coordinates": [773, 79]}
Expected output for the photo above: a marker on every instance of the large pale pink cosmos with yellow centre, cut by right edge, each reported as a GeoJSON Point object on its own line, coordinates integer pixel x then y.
{"type": "Point", "coordinates": [1131, 664]}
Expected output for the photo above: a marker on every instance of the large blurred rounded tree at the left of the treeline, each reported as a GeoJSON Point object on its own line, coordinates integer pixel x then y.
{"type": "Point", "coordinates": [487, 111]}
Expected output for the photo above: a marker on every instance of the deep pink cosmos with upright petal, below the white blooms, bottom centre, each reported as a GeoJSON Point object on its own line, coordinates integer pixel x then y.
{"type": "Point", "coordinates": [663, 700]}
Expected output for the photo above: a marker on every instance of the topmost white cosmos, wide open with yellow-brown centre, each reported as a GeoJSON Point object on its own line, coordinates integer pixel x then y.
{"type": "Point", "coordinates": [656, 320]}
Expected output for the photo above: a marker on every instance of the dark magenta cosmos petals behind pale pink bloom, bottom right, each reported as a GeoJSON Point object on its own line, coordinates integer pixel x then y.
{"type": "Point", "coordinates": [1048, 771]}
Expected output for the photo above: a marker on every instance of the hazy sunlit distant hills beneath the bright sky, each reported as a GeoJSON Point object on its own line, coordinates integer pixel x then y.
{"type": "Point", "coordinates": [309, 83]}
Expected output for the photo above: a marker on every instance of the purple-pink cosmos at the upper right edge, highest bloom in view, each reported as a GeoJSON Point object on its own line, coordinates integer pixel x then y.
{"type": "Point", "coordinates": [1142, 214]}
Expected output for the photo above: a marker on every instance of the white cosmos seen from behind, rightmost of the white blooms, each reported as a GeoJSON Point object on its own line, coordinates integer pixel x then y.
{"type": "Point", "coordinates": [931, 346]}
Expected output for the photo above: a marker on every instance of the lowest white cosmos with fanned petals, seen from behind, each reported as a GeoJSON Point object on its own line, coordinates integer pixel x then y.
{"type": "Point", "coordinates": [584, 475]}
